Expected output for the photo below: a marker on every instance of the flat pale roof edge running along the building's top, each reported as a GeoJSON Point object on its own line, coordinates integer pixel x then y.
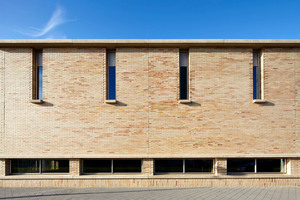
{"type": "Point", "coordinates": [149, 43]}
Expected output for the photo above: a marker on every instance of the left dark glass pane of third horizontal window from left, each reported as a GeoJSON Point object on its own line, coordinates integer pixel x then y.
{"type": "Point", "coordinates": [168, 165]}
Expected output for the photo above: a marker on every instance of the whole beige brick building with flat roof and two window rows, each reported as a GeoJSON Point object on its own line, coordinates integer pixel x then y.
{"type": "Point", "coordinates": [142, 113]}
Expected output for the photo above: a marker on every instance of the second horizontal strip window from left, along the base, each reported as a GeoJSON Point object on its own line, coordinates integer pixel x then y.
{"type": "Point", "coordinates": [111, 166]}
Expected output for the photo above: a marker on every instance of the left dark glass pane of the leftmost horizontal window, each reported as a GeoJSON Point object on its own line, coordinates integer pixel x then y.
{"type": "Point", "coordinates": [25, 166]}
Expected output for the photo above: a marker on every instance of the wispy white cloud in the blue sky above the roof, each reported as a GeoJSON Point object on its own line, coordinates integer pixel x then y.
{"type": "Point", "coordinates": [58, 18]}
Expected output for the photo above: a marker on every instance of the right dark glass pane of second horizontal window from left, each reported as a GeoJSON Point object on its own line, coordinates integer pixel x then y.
{"type": "Point", "coordinates": [127, 166]}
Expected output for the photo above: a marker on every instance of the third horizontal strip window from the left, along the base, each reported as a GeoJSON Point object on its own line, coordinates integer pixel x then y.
{"type": "Point", "coordinates": [183, 165]}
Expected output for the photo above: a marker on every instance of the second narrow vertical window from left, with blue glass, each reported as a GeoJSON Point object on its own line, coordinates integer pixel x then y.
{"type": "Point", "coordinates": [111, 75]}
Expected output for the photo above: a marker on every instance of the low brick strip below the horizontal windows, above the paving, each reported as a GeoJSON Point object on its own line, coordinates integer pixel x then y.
{"type": "Point", "coordinates": [157, 182]}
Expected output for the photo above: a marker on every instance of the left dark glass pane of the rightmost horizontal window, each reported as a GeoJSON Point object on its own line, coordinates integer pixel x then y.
{"type": "Point", "coordinates": [240, 165]}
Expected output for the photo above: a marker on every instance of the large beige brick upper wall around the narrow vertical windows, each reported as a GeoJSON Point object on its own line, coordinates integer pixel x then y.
{"type": "Point", "coordinates": [74, 121]}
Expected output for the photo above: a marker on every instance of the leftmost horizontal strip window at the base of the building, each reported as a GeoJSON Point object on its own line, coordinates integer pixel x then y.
{"type": "Point", "coordinates": [19, 166]}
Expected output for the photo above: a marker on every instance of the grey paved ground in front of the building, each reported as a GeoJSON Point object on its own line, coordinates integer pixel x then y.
{"type": "Point", "coordinates": [215, 193]}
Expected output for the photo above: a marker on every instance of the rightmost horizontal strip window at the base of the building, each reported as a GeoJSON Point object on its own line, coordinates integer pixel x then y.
{"type": "Point", "coordinates": [256, 165]}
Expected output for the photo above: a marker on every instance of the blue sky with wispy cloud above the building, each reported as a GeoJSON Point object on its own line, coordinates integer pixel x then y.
{"type": "Point", "coordinates": [149, 19]}
